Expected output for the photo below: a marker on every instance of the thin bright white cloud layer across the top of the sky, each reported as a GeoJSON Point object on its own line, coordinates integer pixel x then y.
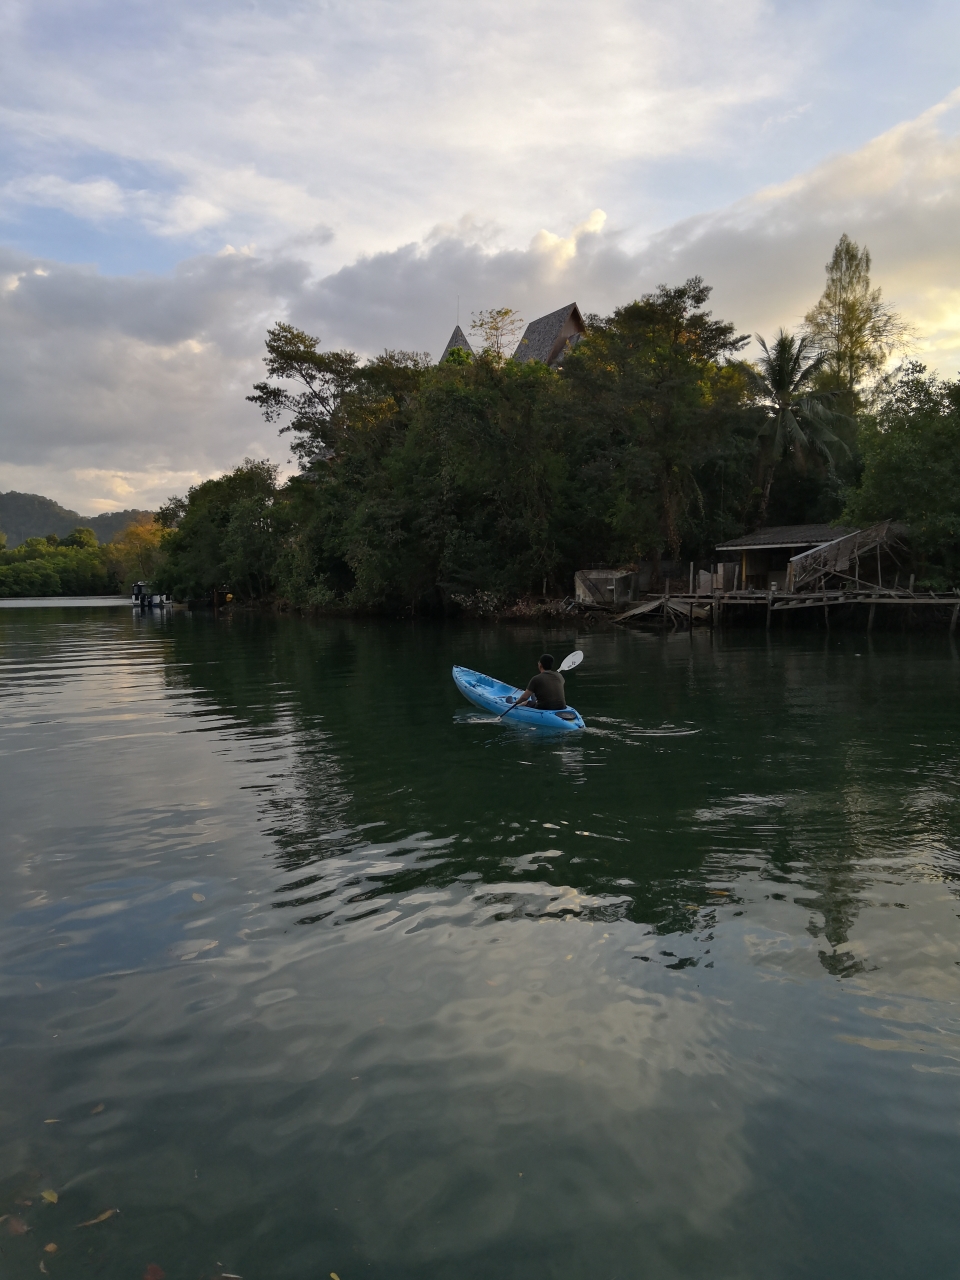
{"type": "Point", "coordinates": [260, 122]}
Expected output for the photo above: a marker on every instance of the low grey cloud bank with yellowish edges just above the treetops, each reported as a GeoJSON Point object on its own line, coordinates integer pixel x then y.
{"type": "Point", "coordinates": [122, 390]}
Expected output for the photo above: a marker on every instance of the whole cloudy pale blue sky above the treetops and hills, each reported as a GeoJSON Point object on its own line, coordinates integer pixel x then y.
{"type": "Point", "coordinates": [176, 179]}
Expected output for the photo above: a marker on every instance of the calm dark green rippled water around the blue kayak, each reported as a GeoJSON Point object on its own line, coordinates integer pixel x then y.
{"type": "Point", "coordinates": [319, 972]}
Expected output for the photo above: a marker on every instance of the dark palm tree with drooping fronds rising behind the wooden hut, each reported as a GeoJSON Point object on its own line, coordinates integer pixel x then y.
{"type": "Point", "coordinates": [799, 418]}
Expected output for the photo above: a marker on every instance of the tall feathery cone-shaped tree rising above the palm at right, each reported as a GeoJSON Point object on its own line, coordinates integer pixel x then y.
{"type": "Point", "coordinates": [852, 324]}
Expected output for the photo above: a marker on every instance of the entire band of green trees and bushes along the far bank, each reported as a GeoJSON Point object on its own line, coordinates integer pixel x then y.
{"type": "Point", "coordinates": [486, 481]}
